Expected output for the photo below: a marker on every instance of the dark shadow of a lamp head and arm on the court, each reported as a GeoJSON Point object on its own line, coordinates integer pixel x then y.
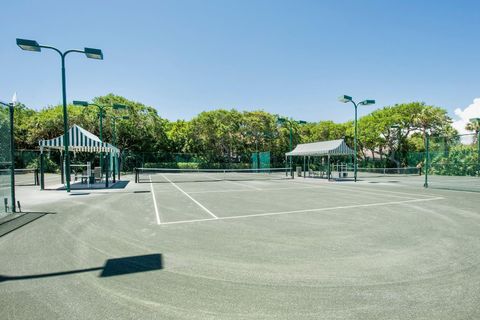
{"type": "Point", "coordinates": [112, 267]}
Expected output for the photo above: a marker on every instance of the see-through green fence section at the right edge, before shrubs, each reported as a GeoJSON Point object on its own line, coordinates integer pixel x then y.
{"type": "Point", "coordinates": [453, 162]}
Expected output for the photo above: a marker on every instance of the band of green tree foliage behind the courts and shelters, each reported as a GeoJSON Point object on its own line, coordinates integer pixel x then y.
{"type": "Point", "coordinates": [224, 136]}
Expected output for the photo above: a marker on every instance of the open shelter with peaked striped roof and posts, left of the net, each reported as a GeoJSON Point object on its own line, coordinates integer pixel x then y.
{"type": "Point", "coordinates": [80, 140]}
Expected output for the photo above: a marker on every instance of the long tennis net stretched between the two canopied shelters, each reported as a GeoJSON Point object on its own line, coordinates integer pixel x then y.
{"type": "Point", "coordinates": [163, 175]}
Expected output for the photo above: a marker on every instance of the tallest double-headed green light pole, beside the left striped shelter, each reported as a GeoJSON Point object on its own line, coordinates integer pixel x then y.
{"type": "Point", "coordinates": [32, 45]}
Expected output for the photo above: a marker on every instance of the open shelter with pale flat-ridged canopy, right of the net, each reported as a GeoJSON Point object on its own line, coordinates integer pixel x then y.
{"type": "Point", "coordinates": [321, 149]}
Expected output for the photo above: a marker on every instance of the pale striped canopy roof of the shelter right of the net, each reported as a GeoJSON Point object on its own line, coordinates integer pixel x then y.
{"type": "Point", "coordinates": [322, 148]}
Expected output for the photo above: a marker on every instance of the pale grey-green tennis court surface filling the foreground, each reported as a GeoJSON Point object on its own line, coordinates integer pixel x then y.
{"type": "Point", "coordinates": [266, 249]}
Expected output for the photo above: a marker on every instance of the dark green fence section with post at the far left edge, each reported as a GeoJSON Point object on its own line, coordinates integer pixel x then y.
{"type": "Point", "coordinates": [5, 163]}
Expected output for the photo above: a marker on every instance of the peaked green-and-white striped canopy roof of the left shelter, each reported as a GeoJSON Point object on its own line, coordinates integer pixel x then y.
{"type": "Point", "coordinates": [80, 140]}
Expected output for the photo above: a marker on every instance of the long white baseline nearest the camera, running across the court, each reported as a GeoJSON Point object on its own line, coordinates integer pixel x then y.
{"type": "Point", "coordinates": [306, 210]}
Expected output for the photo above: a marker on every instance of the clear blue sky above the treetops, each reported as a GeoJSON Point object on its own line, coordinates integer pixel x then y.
{"type": "Point", "coordinates": [288, 57]}
